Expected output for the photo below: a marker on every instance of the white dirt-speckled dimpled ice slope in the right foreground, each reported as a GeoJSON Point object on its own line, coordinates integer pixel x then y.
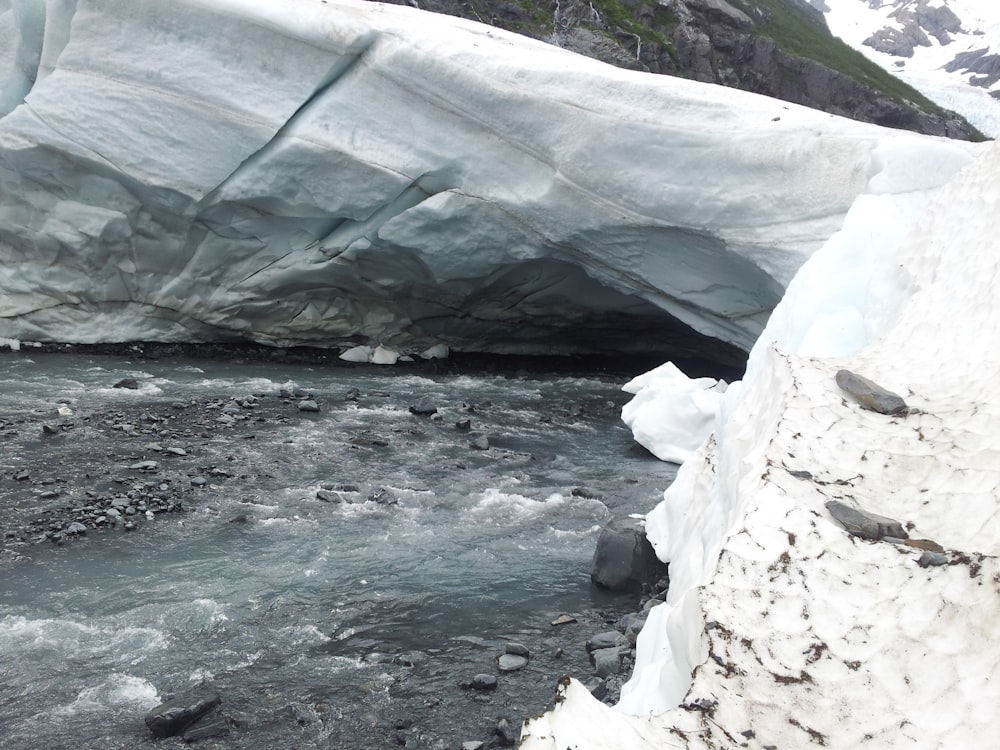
{"type": "Point", "coordinates": [780, 629]}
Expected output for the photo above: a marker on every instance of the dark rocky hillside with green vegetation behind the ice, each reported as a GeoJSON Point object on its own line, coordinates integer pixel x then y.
{"type": "Point", "coordinates": [781, 48]}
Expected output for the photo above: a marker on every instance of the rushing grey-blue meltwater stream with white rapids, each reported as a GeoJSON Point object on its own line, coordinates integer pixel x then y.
{"type": "Point", "coordinates": [303, 614]}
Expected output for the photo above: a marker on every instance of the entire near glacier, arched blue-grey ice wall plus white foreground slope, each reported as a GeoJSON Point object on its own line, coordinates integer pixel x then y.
{"type": "Point", "coordinates": [382, 180]}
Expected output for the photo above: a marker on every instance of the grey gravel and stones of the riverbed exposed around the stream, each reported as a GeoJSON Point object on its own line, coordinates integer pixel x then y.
{"type": "Point", "coordinates": [81, 474]}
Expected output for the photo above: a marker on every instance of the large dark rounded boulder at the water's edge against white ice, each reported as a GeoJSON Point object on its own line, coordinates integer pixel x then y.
{"type": "Point", "coordinates": [624, 559]}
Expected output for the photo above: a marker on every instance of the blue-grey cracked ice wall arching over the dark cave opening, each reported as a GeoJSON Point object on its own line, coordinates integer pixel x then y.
{"type": "Point", "coordinates": [347, 173]}
